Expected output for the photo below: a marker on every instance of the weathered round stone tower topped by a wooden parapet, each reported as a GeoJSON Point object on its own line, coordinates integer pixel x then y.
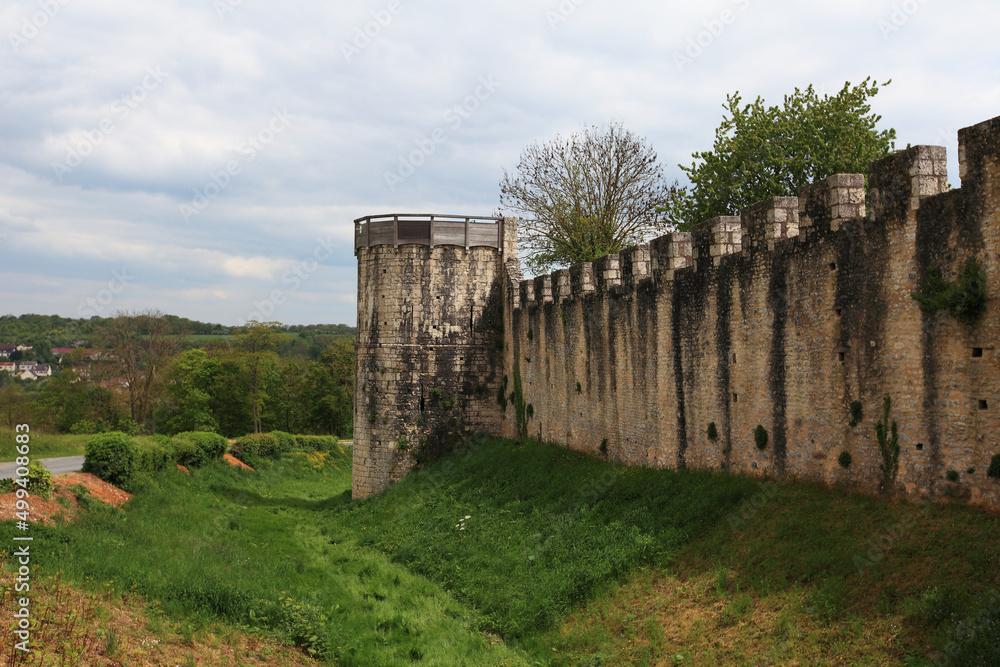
{"type": "Point", "coordinates": [430, 338]}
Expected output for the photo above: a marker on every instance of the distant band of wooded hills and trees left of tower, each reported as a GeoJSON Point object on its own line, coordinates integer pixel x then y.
{"type": "Point", "coordinates": [147, 378]}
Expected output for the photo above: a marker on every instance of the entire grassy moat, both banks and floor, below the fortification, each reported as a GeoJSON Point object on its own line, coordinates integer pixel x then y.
{"type": "Point", "coordinates": [510, 553]}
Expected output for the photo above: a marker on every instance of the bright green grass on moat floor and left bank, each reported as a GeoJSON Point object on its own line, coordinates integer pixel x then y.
{"type": "Point", "coordinates": [256, 549]}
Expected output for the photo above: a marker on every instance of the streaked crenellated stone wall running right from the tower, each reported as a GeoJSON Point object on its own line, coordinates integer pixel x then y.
{"type": "Point", "coordinates": [782, 317]}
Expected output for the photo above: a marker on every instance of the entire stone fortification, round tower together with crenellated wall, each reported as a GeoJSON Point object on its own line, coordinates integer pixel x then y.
{"type": "Point", "coordinates": [784, 317]}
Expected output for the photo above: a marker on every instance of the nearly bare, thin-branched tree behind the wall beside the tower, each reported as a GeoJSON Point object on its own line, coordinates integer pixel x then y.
{"type": "Point", "coordinates": [595, 193]}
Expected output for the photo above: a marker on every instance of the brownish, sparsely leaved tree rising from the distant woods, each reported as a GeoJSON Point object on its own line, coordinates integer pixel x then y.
{"type": "Point", "coordinates": [136, 345]}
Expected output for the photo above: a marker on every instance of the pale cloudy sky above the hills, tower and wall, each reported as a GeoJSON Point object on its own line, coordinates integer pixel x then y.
{"type": "Point", "coordinates": [207, 157]}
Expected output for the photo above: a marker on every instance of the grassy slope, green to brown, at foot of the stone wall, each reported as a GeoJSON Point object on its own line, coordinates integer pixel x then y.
{"type": "Point", "coordinates": [704, 568]}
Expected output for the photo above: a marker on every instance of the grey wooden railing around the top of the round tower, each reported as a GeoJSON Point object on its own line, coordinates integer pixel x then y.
{"type": "Point", "coordinates": [397, 229]}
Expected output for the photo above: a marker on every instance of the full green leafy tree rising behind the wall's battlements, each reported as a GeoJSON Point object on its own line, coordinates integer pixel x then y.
{"type": "Point", "coordinates": [762, 152]}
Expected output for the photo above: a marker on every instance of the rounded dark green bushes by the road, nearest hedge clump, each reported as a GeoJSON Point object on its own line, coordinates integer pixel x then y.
{"type": "Point", "coordinates": [119, 459]}
